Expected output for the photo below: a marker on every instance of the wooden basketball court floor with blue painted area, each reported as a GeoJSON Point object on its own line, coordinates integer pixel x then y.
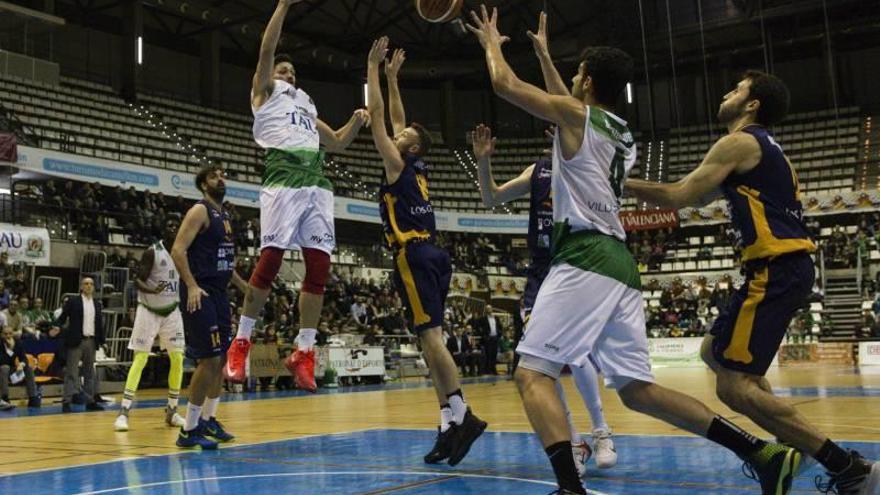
{"type": "Point", "coordinates": [370, 440]}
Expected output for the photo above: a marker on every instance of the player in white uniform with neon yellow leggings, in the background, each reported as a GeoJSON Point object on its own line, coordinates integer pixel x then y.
{"type": "Point", "coordinates": [157, 315]}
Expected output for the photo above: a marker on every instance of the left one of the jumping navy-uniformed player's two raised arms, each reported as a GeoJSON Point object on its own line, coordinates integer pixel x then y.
{"type": "Point", "coordinates": [391, 158]}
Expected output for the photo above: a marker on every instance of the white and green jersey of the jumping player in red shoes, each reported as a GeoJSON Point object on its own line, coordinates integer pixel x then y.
{"type": "Point", "coordinates": [286, 125]}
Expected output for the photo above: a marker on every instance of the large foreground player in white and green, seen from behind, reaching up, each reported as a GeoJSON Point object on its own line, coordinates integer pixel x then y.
{"type": "Point", "coordinates": [590, 305]}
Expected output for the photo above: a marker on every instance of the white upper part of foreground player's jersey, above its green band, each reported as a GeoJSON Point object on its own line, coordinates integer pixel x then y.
{"type": "Point", "coordinates": [587, 188]}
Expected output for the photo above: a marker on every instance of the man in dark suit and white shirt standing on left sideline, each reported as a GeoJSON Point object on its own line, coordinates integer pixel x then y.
{"type": "Point", "coordinates": [81, 338]}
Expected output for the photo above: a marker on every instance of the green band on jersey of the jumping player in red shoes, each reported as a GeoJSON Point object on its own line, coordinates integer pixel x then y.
{"type": "Point", "coordinates": [295, 168]}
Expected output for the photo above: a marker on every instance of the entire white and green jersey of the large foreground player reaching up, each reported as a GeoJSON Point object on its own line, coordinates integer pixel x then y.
{"type": "Point", "coordinates": [587, 231]}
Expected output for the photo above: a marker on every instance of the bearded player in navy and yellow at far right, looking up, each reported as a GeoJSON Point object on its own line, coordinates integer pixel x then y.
{"type": "Point", "coordinates": [753, 173]}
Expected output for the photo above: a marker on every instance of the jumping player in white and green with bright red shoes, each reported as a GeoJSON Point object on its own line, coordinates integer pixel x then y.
{"type": "Point", "coordinates": [296, 199]}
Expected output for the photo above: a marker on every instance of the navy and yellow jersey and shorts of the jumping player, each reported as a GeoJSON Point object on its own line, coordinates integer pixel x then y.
{"type": "Point", "coordinates": [422, 270]}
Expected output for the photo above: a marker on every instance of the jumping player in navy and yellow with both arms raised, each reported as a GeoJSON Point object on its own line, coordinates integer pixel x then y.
{"type": "Point", "coordinates": [422, 269]}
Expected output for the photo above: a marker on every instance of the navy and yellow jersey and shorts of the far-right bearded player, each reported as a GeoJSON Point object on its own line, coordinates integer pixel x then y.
{"type": "Point", "coordinates": [766, 211]}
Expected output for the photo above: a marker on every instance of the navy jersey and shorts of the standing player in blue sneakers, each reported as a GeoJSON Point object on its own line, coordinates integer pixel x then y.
{"type": "Point", "coordinates": [211, 257]}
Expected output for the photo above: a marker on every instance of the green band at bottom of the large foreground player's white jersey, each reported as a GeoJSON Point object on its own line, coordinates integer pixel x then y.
{"type": "Point", "coordinates": [595, 252]}
